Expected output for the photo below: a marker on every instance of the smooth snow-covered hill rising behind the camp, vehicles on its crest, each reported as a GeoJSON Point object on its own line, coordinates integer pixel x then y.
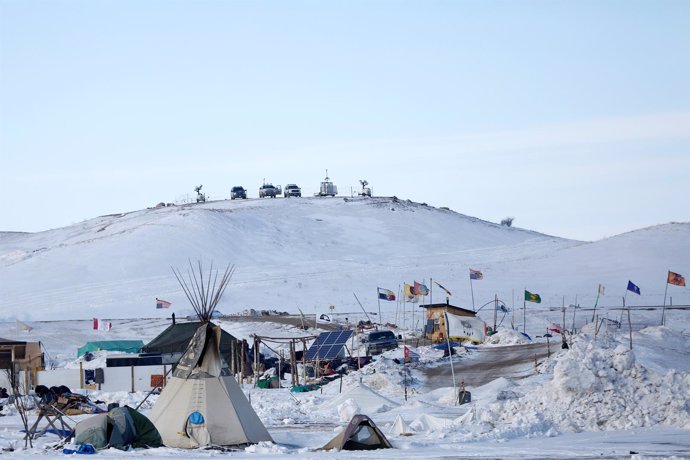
{"type": "Point", "coordinates": [312, 253]}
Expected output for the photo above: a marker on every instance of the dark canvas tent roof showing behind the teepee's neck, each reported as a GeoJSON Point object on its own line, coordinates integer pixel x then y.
{"type": "Point", "coordinates": [174, 339]}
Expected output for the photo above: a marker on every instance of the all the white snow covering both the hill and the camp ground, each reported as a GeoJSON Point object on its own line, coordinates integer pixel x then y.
{"type": "Point", "coordinates": [596, 400]}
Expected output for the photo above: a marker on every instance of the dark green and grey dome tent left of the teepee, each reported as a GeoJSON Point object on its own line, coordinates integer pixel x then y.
{"type": "Point", "coordinates": [121, 428]}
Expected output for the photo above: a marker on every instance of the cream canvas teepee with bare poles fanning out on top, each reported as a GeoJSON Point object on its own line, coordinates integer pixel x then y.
{"type": "Point", "coordinates": [202, 404]}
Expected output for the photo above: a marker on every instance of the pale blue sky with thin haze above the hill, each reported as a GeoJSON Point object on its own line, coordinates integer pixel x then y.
{"type": "Point", "coordinates": [571, 117]}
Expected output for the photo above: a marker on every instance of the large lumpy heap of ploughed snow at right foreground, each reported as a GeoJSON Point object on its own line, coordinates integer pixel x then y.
{"type": "Point", "coordinates": [596, 386]}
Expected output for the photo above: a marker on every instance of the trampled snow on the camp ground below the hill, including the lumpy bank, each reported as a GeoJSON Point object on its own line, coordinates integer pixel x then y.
{"type": "Point", "coordinates": [596, 400]}
